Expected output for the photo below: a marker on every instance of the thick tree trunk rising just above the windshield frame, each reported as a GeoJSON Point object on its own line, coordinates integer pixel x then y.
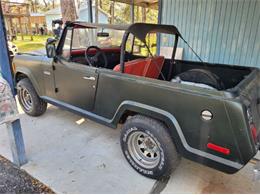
{"type": "Point", "coordinates": [68, 10]}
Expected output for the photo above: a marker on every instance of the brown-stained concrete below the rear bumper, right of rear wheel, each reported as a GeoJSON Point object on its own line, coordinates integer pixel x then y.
{"type": "Point", "coordinates": [192, 177]}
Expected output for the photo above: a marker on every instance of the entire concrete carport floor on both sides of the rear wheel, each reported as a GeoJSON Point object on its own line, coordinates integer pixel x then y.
{"type": "Point", "coordinates": [75, 155]}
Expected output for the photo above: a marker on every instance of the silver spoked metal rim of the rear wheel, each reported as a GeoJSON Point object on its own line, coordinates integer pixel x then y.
{"type": "Point", "coordinates": [144, 150]}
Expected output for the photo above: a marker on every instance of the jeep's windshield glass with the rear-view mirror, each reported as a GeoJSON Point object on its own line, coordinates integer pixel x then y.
{"type": "Point", "coordinates": [103, 38]}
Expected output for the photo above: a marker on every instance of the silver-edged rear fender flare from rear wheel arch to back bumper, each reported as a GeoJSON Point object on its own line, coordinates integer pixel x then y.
{"type": "Point", "coordinates": [175, 131]}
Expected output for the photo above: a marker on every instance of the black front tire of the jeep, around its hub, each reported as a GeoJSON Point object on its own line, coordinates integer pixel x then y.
{"type": "Point", "coordinates": [37, 106]}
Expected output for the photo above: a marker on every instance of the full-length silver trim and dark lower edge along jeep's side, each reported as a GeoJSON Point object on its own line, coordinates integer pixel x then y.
{"type": "Point", "coordinates": [174, 129]}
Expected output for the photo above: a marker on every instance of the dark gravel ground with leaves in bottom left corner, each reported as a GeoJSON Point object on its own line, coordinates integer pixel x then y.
{"type": "Point", "coordinates": [14, 180]}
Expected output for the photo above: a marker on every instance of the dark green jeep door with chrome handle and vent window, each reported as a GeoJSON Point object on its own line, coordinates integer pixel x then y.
{"type": "Point", "coordinates": [75, 83]}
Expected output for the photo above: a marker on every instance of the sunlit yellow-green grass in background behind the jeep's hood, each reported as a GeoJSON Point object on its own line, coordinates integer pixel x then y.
{"type": "Point", "coordinates": [27, 45]}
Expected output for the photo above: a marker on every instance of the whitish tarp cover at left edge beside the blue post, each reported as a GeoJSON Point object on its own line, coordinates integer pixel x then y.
{"type": "Point", "coordinates": [8, 108]}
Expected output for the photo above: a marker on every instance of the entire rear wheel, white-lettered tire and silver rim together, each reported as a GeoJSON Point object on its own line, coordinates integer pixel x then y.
{"type": "Point", "coordinates": [148, 147]}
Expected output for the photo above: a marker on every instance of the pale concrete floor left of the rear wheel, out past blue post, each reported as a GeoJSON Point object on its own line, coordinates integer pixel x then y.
{"type": "Point", "coordinates": [75, 155]}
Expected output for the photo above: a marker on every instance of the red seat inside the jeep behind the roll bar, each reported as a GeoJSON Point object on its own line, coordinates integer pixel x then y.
{"type": "Point", "coordinates": [149, 67]}
